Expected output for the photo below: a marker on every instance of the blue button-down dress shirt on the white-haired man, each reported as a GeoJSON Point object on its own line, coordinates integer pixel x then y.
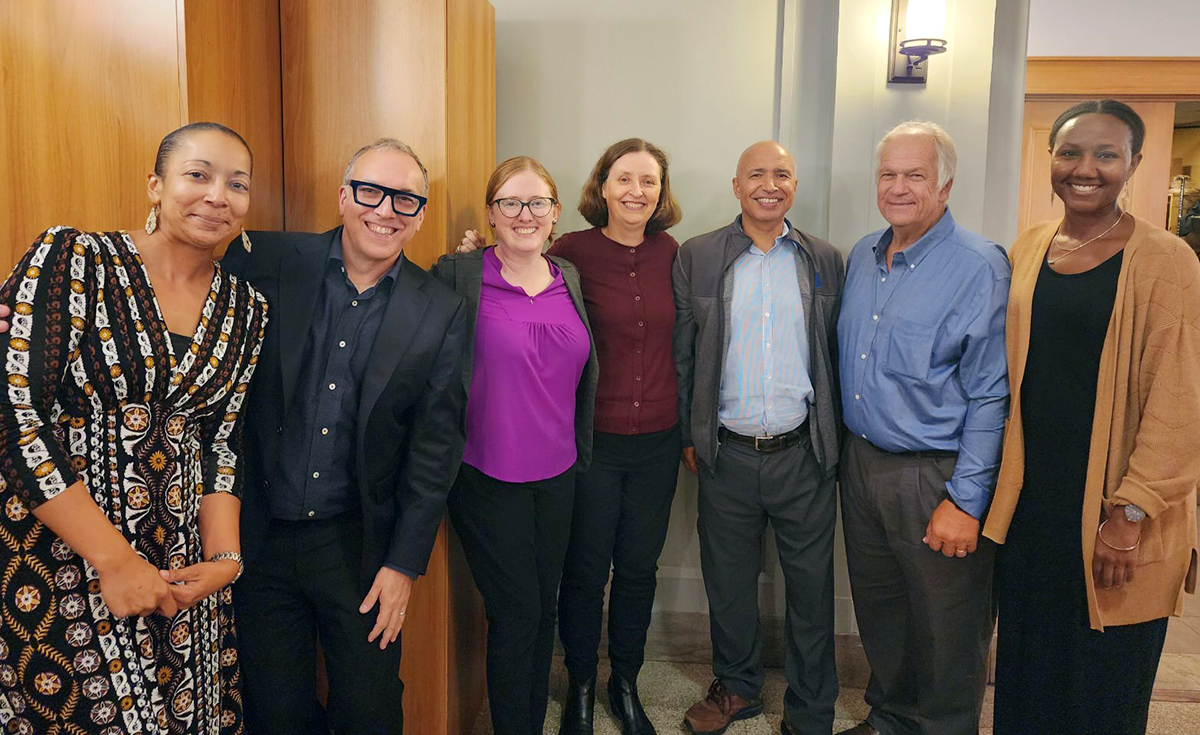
{"type": "Point", "coordinates": [922, 351]}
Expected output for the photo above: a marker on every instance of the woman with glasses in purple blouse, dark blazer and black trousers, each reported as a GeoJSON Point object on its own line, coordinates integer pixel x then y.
{"type": "Point", "coordinates": [531, 386]}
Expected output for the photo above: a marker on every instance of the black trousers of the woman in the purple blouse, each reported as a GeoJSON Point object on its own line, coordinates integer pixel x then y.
{"type": "Point", "coordinates": [514, 536]}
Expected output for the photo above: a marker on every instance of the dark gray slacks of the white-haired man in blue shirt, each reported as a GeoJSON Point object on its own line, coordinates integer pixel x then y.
{"type": "Point", "coordinates": [926, 620]}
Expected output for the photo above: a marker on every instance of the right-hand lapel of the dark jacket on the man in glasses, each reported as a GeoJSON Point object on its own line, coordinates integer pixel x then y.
{"type": "Point", "coordinates": [406, 308]}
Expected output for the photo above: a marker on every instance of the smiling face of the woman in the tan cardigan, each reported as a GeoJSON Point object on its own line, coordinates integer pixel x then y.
{"type": "Point", "coordinates": [1091, 163]}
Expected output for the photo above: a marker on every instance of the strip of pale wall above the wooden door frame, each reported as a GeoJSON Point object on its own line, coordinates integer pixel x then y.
{"type": "Point", "coordinates": [1114, 28]}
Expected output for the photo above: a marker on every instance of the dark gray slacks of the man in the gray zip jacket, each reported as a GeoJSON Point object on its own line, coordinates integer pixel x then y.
{"type": "Point", "coordinates": [747, 491]}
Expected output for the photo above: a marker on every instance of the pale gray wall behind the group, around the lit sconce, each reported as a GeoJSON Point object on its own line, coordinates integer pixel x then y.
{"type": "Point", "coordinates": [705, 79]}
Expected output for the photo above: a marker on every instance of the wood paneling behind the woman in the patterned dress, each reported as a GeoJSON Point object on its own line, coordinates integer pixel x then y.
{"type": "Point", "coordinates": [91, 89]}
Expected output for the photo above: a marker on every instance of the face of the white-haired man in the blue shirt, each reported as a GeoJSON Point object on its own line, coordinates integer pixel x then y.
{"type": "Point", "coordinates": [908, 193]}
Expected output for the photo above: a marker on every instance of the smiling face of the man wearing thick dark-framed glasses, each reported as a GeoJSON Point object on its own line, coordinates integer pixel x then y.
{"type": "Point", "coordinates": [379, 234]}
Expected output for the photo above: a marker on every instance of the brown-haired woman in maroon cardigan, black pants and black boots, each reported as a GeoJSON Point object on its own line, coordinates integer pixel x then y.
{"type": "Point", "coordinates": [623, 503]}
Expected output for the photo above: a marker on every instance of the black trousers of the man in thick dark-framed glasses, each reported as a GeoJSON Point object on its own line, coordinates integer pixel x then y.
{"type": "Point", "coordinates": [305, 590]}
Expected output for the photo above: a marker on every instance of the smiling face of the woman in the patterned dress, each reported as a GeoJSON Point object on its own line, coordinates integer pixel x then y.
{"type": "Point", "coordinates": [205, 192]}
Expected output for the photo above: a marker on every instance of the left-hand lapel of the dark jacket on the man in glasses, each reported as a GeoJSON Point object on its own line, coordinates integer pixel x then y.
{"type": "Point", "coordinates": [302, 270]}
